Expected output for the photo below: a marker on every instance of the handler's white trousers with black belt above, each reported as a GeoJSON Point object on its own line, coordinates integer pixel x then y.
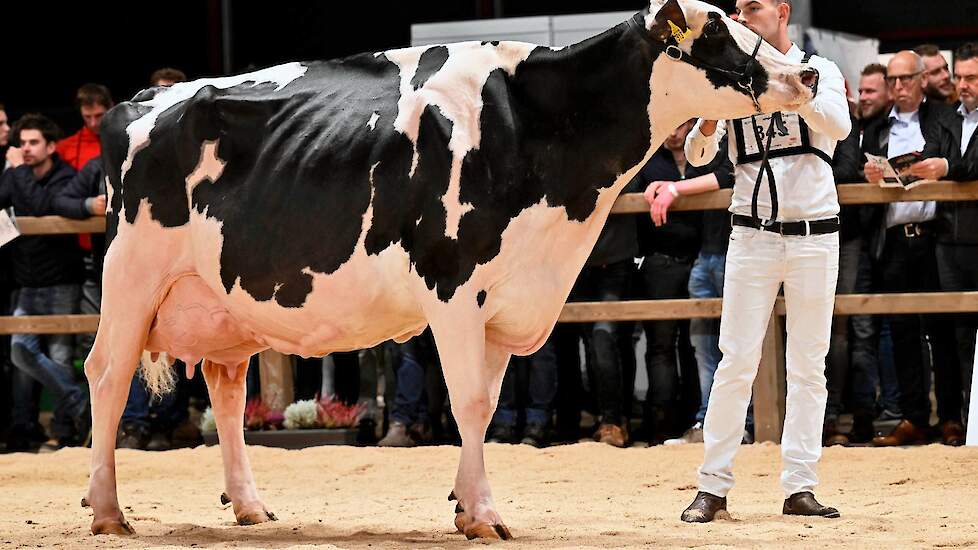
{"type": "Point", "coordinates": [758, 262]}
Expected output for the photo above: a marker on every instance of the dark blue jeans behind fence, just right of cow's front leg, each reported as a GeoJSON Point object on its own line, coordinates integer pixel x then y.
{"type": "Point", "coordinates": [538, 374]}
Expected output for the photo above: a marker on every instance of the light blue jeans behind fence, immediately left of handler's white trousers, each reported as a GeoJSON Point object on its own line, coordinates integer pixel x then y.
{"type": "Point", "coordinates": [706, 281]}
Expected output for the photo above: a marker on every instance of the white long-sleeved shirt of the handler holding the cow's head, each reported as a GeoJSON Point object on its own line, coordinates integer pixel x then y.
{"type": "Point", "coordinates": [804, 183]}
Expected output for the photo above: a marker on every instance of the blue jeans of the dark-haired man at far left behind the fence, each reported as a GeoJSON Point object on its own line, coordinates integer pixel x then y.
{"type": "Point", "coordinates": [46, 358]}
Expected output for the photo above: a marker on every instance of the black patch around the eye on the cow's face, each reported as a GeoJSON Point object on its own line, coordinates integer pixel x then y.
{"type": "Point", "coordinates": [717, 47]}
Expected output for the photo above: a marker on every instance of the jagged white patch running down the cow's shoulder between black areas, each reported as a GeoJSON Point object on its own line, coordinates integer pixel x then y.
{"type": "Point", "coordinates": [456, 90]}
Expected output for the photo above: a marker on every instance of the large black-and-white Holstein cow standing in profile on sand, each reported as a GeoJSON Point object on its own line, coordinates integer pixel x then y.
{"type": "Point", "coordinates": [329, 206]}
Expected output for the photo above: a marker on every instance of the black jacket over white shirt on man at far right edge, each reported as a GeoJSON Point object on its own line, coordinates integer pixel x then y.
{"type": "Point", "coordinates": [959, 220]}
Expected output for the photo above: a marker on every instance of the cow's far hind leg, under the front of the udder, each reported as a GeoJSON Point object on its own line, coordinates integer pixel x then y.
{"type": "Point", "coordinates": [227, 391]}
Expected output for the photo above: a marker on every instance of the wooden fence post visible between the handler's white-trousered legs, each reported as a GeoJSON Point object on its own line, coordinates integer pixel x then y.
{"type": "Point", "coordinates": [769, 385]}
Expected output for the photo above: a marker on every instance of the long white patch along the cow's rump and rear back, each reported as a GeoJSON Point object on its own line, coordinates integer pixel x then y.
{"type": "Point", "coordinates": [140, 128]}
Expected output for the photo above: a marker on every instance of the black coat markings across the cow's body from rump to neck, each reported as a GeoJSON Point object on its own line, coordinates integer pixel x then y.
{"type": "Point", "coordinates": [302, 166]}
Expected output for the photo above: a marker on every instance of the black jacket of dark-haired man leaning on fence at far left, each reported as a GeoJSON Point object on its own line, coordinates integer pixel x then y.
{"type": "Point", "coordinates": [41, 260]}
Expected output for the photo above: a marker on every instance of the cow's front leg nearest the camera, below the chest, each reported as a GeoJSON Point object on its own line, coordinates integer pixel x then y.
{"type": "Point", "coordinates": [473, 372]}
